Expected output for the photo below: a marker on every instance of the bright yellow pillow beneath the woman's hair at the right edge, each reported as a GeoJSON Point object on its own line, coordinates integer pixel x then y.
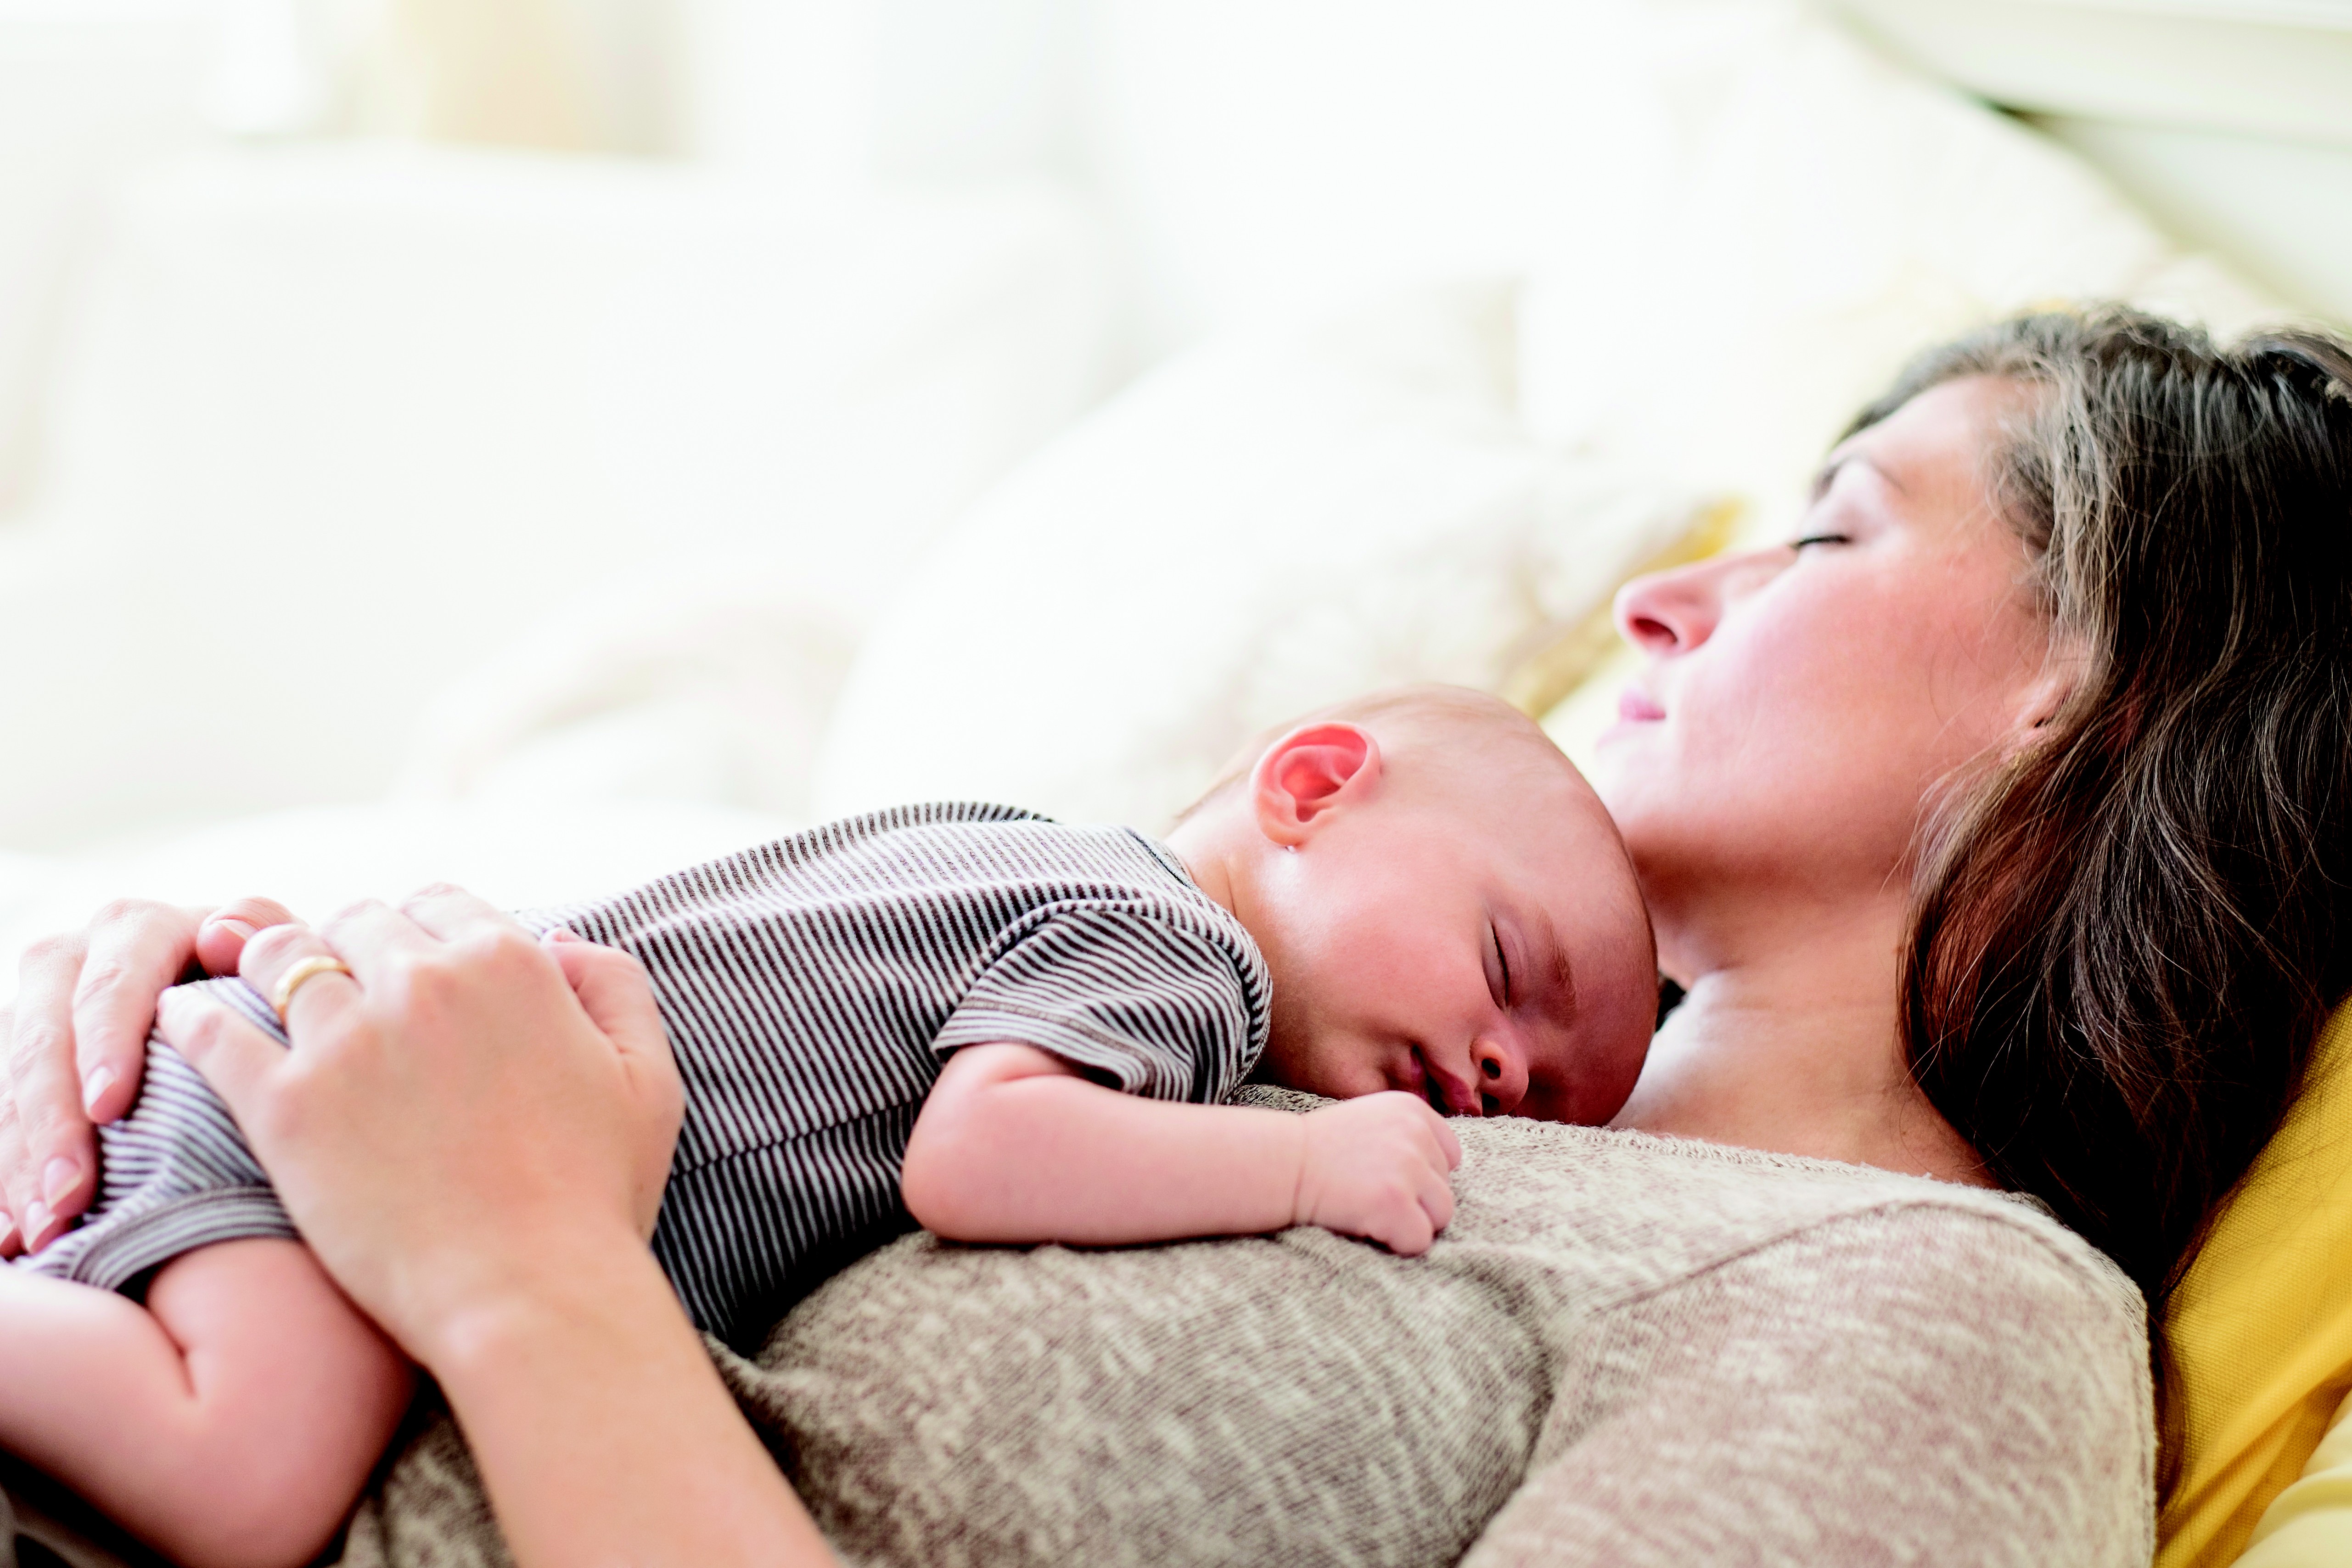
{"type": "Point", "coordinates": [2264, 1332]}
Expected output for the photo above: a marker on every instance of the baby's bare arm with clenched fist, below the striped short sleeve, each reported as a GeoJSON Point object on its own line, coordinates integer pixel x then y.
{"type": "Point", "coordinates": [1015, 1146]}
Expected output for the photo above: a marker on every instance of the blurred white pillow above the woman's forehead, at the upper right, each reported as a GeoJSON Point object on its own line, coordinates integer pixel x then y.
{"type": "Point", "coordinates": [1831, 217]}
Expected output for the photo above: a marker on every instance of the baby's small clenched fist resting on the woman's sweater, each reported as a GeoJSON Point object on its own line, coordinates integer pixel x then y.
{"type": "Point", "coordinates": [1377, 1167]}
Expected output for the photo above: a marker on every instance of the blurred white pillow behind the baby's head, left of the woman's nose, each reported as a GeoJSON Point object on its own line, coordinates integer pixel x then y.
{"type": "Point", "coordinates": [1259, 528]}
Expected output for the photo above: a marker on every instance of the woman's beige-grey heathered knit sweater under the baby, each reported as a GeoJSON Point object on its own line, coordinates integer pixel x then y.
{"type": "Point", "coordinates": [1626, 1351]}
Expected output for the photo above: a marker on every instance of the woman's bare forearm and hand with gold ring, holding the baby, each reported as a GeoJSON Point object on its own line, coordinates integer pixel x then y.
{"type": "Point", "coordinates": [472, 1132]}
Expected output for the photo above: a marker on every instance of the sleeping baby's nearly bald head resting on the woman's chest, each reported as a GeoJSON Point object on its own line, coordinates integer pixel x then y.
{"type": "Point", "coordinates": [1445, 909]}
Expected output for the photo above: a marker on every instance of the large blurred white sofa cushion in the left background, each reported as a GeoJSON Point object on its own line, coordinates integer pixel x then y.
{"type": "Point", "coordinates": [345, 422]}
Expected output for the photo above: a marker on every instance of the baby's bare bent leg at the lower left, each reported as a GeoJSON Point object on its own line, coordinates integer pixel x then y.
{"type": "Point", "coordinates": [229, 1421]}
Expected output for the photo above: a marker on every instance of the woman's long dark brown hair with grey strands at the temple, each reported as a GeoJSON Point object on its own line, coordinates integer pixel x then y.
{"type": "Point", "coordinates": [2127, 937]}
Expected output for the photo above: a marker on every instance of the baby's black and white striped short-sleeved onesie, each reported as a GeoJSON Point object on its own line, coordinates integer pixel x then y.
{"type": "Point", "coordinates": [810, 991]}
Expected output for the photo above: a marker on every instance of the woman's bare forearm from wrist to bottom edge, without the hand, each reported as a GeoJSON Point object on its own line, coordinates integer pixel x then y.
{"type": "Point", "coordinates": [608, 1381]}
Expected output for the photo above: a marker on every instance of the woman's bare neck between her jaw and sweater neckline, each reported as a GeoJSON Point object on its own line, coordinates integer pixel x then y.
{"type": "Point", "coordinates": [1789, 1043]}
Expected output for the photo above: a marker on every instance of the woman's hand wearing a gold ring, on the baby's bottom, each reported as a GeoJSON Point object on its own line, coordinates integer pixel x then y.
{"type": "Point", "coordinates": [516, 1094]}
